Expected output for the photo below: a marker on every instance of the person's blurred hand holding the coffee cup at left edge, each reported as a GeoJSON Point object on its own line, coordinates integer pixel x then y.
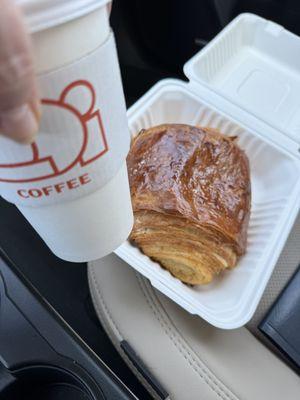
{"type": "Point", "coordinates": [19, 103]}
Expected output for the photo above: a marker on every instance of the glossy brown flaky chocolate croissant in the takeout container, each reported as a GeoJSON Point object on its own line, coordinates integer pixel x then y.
{"type": "Point", "coordinates": [191, 196]}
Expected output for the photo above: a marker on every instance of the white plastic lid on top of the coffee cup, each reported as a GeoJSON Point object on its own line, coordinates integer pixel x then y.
{"type": "Point", "coordinates": [44, 14]}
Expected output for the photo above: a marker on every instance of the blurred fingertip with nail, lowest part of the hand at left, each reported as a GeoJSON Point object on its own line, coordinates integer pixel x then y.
{"type": "Point", "coordinates": [19, 124]}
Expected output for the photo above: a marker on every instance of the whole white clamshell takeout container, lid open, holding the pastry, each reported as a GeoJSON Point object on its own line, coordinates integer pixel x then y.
{"type": "Point", "coordinates": [246, 82]}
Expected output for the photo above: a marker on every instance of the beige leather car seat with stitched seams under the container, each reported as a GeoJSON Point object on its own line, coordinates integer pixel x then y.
{"type": "Point", "coordinates": [192, 359]}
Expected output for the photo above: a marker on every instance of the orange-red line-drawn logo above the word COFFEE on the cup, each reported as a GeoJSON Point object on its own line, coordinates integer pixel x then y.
{"type": "Point", "coordinates": [89, 144]}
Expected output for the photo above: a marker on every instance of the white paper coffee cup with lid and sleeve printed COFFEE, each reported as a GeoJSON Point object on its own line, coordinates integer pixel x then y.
{"type": "Point", "coordinates": [85, 213]}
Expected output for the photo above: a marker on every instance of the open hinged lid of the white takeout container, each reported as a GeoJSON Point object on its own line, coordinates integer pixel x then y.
{"type": "Point", "coordinates": [255, 64]}
